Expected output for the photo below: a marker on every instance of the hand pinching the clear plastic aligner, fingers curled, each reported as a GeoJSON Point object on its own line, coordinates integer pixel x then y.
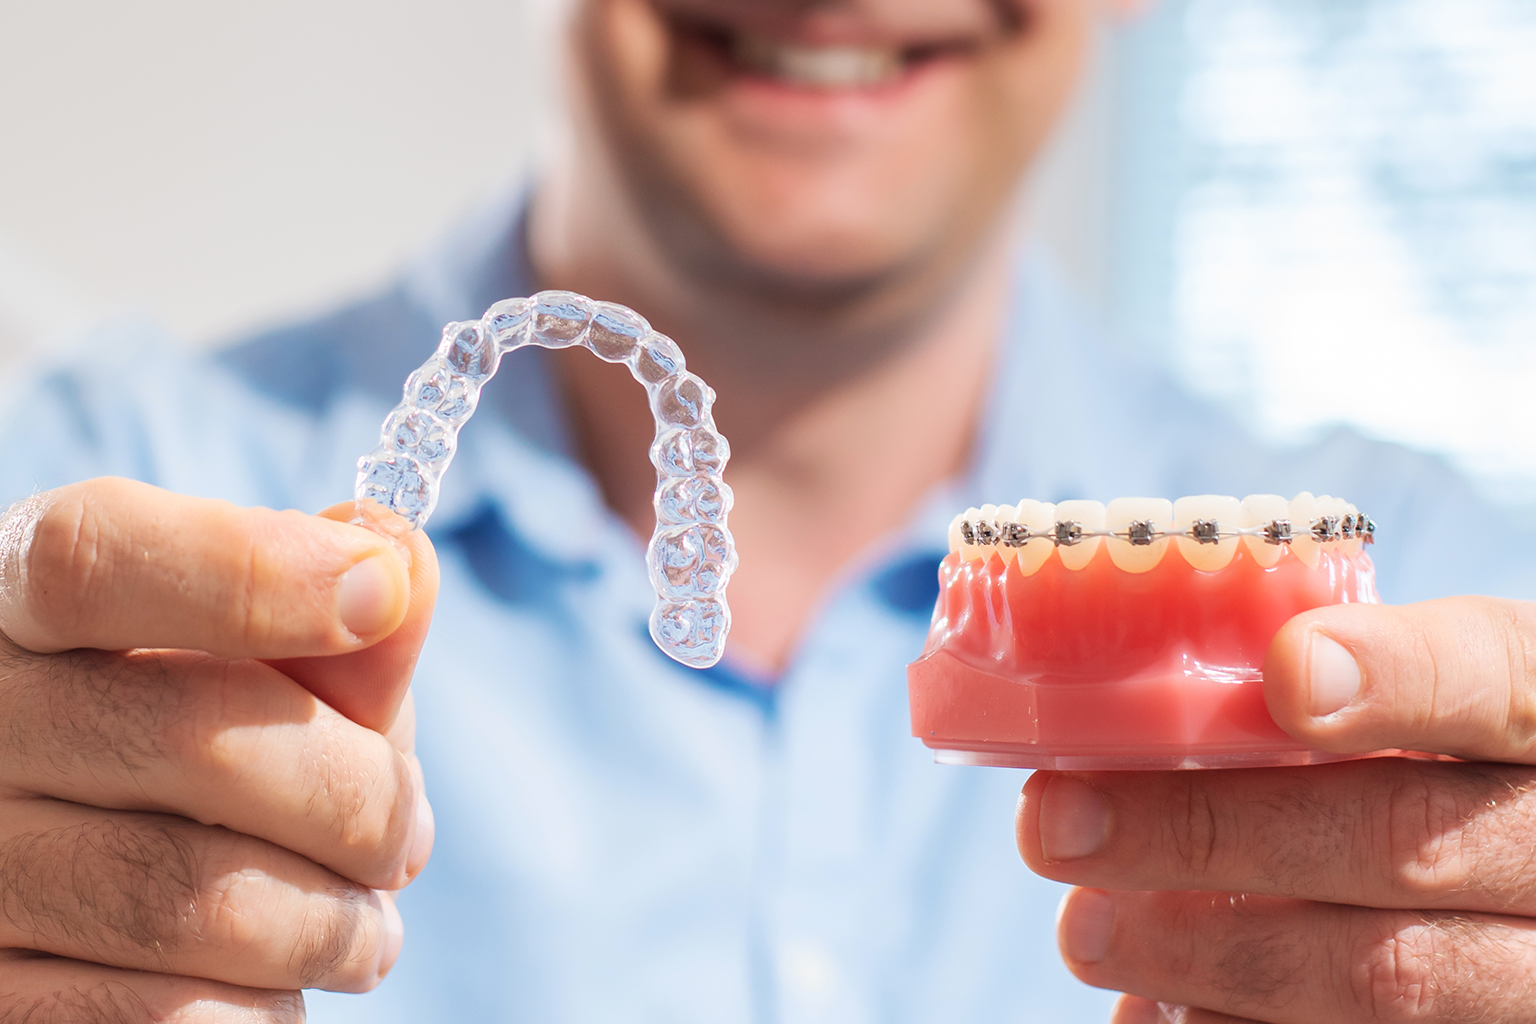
{"type": "Point", "coordinates": [188, 833]}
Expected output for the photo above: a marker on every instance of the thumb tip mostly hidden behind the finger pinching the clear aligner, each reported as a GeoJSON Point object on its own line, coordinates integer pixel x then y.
{"type": "Point", "coordinates": [369, 685]}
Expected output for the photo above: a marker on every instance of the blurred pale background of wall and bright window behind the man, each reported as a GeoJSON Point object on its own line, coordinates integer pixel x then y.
{"type": "Point", "coordinates": [1311, 211]}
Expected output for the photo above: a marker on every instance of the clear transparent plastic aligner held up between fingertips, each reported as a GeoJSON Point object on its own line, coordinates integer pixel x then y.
{"type": "Point", "coordinates": [692, 553]}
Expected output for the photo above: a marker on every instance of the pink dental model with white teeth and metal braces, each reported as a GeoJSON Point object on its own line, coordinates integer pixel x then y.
{"type": "Point", "coordinates": [1082, 636]}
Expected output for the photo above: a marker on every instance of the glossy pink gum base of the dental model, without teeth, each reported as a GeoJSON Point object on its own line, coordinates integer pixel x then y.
{"type": "Point", "coordinates": [1099, 669]}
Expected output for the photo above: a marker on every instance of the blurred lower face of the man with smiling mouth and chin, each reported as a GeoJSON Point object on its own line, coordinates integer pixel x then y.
{"type": "Point", "coordinates": [823, 145]}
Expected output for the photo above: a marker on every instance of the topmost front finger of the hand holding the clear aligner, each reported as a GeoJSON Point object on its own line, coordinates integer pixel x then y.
{"type": "Point", "coordinates": [114, 564]}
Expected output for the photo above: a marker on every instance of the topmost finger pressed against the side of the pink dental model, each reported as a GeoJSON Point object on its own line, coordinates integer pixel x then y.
{"type": "Point", "coordinates": [1454, 676]}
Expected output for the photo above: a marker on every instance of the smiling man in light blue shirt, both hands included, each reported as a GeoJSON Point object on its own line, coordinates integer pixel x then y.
{"type": "Point", "coordinates": [810, 199]}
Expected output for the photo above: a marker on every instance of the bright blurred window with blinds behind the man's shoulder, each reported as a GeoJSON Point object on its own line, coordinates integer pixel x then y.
{"type": "Point", "coordinates": [1351, 217]}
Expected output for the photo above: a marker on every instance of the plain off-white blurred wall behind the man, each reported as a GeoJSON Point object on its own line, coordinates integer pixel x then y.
{"type": "Point", "coordinates": [223, 165]}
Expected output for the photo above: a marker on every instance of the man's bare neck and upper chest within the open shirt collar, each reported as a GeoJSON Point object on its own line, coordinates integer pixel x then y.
{"type": "Point", "coordinates": [842, 412]}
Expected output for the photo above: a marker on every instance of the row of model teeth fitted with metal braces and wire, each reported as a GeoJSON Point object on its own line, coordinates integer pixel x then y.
{"type": "Point", "coordinates": [1207, 529]}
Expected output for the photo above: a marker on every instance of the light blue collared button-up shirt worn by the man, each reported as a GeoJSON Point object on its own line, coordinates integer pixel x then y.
{"type": "Point", "coordinates": [621, 839]}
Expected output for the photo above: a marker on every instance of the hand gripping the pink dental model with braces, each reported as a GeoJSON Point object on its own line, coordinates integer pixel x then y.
{"type": "Point", "coordinates": [1380, 890]}
